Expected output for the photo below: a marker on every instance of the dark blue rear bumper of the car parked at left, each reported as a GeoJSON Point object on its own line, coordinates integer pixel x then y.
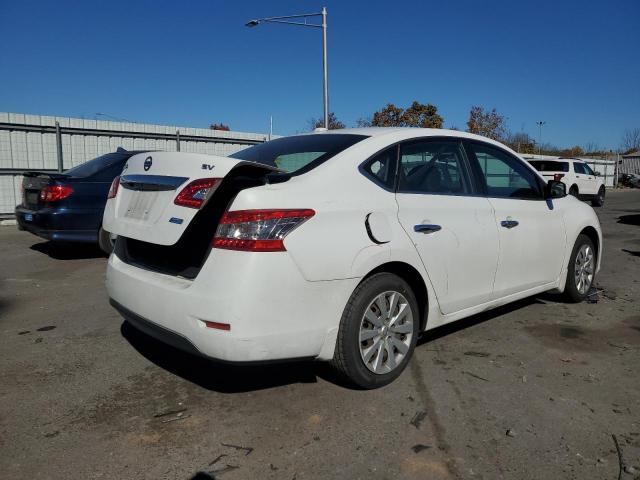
{"type": "Point", "coordinates": [77, 225]}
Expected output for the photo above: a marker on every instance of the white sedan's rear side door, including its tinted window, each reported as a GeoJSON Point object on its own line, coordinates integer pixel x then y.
{"type": "Point", "coordinates": [452, 229]}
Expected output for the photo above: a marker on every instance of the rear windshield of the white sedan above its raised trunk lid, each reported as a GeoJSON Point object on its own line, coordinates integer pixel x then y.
{"type": "Point", "coordinates": [299, 154]}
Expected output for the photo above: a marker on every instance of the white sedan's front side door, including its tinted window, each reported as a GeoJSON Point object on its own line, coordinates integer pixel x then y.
{"type": "Point", "coordinates": [531, 229]}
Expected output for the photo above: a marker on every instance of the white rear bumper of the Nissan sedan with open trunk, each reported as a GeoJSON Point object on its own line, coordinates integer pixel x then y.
{"type": "Point", "coordinates": [273, 312]}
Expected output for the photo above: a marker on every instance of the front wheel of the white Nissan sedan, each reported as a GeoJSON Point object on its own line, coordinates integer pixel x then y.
{"type": "Point", "coordinates": [581, 270]}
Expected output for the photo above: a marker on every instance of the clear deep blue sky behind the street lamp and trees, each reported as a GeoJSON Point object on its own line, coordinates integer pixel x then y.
{"type": "Point", "coordinates": [573, 64]}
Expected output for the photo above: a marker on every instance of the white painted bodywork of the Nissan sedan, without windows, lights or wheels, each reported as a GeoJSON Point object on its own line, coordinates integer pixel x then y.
{"type": "Point", "coordinates": [289, 304]}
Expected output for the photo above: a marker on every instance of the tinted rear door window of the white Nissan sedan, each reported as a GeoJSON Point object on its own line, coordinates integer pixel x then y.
{"type": "Point", "coordinates": [432, 167]}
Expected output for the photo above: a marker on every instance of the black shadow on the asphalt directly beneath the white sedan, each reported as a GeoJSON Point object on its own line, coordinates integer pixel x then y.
{"type": "Point", "coordinates": [227, 378]}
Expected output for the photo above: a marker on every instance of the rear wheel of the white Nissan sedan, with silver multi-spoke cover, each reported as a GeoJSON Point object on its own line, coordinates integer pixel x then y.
{"type": "Point", "coordinates": [378, 332]}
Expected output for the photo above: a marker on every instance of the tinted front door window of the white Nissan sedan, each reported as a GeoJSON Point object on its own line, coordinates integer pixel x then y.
{"type": "Point", "coordinates": [505, 175]}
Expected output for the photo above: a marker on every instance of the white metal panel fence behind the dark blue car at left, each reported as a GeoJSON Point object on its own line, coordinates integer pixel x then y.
{"type": "Point", "coordinates": [44, 143]}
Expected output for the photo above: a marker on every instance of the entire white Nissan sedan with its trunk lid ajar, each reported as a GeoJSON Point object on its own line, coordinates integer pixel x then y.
{"type": "Point", "coordinates": [340, 246]}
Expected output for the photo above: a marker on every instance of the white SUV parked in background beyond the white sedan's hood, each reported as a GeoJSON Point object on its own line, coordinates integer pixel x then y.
{"type": "Point", "coordinates": [581, 181]}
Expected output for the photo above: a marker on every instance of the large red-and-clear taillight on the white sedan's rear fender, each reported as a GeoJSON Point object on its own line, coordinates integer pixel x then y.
{"type": "Point", "coordinates": [258, 230]}
